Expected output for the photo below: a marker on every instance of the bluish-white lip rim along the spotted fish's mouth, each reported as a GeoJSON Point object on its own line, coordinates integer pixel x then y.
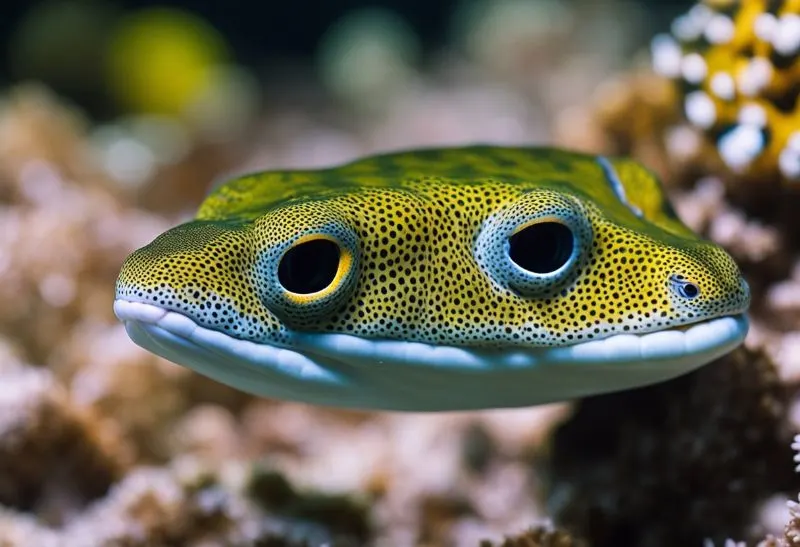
{"type": "Point", "coordinates": [668, 346]}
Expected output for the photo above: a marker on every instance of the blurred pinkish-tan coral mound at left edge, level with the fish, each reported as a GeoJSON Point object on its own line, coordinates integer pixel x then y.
{"type": "Point", "coordinates": [63, 230]}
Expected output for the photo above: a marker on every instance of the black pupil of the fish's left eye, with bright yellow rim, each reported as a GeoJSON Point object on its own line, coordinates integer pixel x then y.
{"type": "Point", "coordinates": [309, 267]}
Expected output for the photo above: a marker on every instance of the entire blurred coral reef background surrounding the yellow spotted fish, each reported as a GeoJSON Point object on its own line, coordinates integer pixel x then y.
{"type": "Point", "coordinates": [117, 118]}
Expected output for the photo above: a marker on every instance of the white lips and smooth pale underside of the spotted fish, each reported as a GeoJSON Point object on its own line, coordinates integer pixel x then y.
{"type": "Point", "coordinates": [349, 371]}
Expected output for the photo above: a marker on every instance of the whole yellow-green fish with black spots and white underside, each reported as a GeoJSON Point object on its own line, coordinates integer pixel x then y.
{"type": "Point", "coordinates": [437, 279]}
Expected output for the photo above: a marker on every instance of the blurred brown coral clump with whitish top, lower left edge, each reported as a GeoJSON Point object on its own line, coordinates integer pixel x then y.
{"type": "Point", "coordinates": [53, 457]}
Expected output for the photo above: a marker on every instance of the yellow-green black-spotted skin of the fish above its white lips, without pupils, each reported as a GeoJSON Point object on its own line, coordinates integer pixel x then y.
{"type": "Point", "coordinates": [424, 232]}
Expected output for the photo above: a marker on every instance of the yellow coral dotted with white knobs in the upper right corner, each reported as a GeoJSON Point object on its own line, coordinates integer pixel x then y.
{"type": "Point", "coordinates": [737, 65]}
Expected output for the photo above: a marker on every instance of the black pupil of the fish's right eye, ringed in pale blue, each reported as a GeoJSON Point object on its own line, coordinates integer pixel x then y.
{"type": "Point", "coordinates": [542, 248]}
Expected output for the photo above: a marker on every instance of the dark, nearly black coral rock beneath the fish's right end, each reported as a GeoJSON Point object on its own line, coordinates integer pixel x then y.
{"type": "Point", "coordinates": [701, 451]}
